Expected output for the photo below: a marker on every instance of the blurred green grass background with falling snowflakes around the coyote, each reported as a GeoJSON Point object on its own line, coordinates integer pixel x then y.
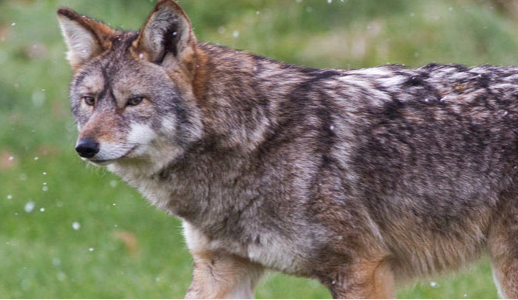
{"type": "Point", "coordinates": [71, 231]}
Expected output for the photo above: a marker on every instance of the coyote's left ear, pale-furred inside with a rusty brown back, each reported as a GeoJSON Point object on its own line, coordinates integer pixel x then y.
{"type": "Point", "coordinates": [85, 37]}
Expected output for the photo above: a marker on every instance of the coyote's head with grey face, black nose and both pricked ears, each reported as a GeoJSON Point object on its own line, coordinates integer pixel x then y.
{"type": "Point", "coordinates": [132, 93]}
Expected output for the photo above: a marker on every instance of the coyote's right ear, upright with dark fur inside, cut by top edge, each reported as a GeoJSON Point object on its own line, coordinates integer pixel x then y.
{"type": "Point", "coordinates": [166, 35]}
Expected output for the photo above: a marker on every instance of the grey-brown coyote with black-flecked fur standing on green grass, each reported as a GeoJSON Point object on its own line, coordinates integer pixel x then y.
{"type": "Point", "coordinates": [358, 178]}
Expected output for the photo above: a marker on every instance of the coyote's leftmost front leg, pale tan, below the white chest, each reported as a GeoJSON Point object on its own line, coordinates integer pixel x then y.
{"type": "Point", "coordinates": [218, 275]}
